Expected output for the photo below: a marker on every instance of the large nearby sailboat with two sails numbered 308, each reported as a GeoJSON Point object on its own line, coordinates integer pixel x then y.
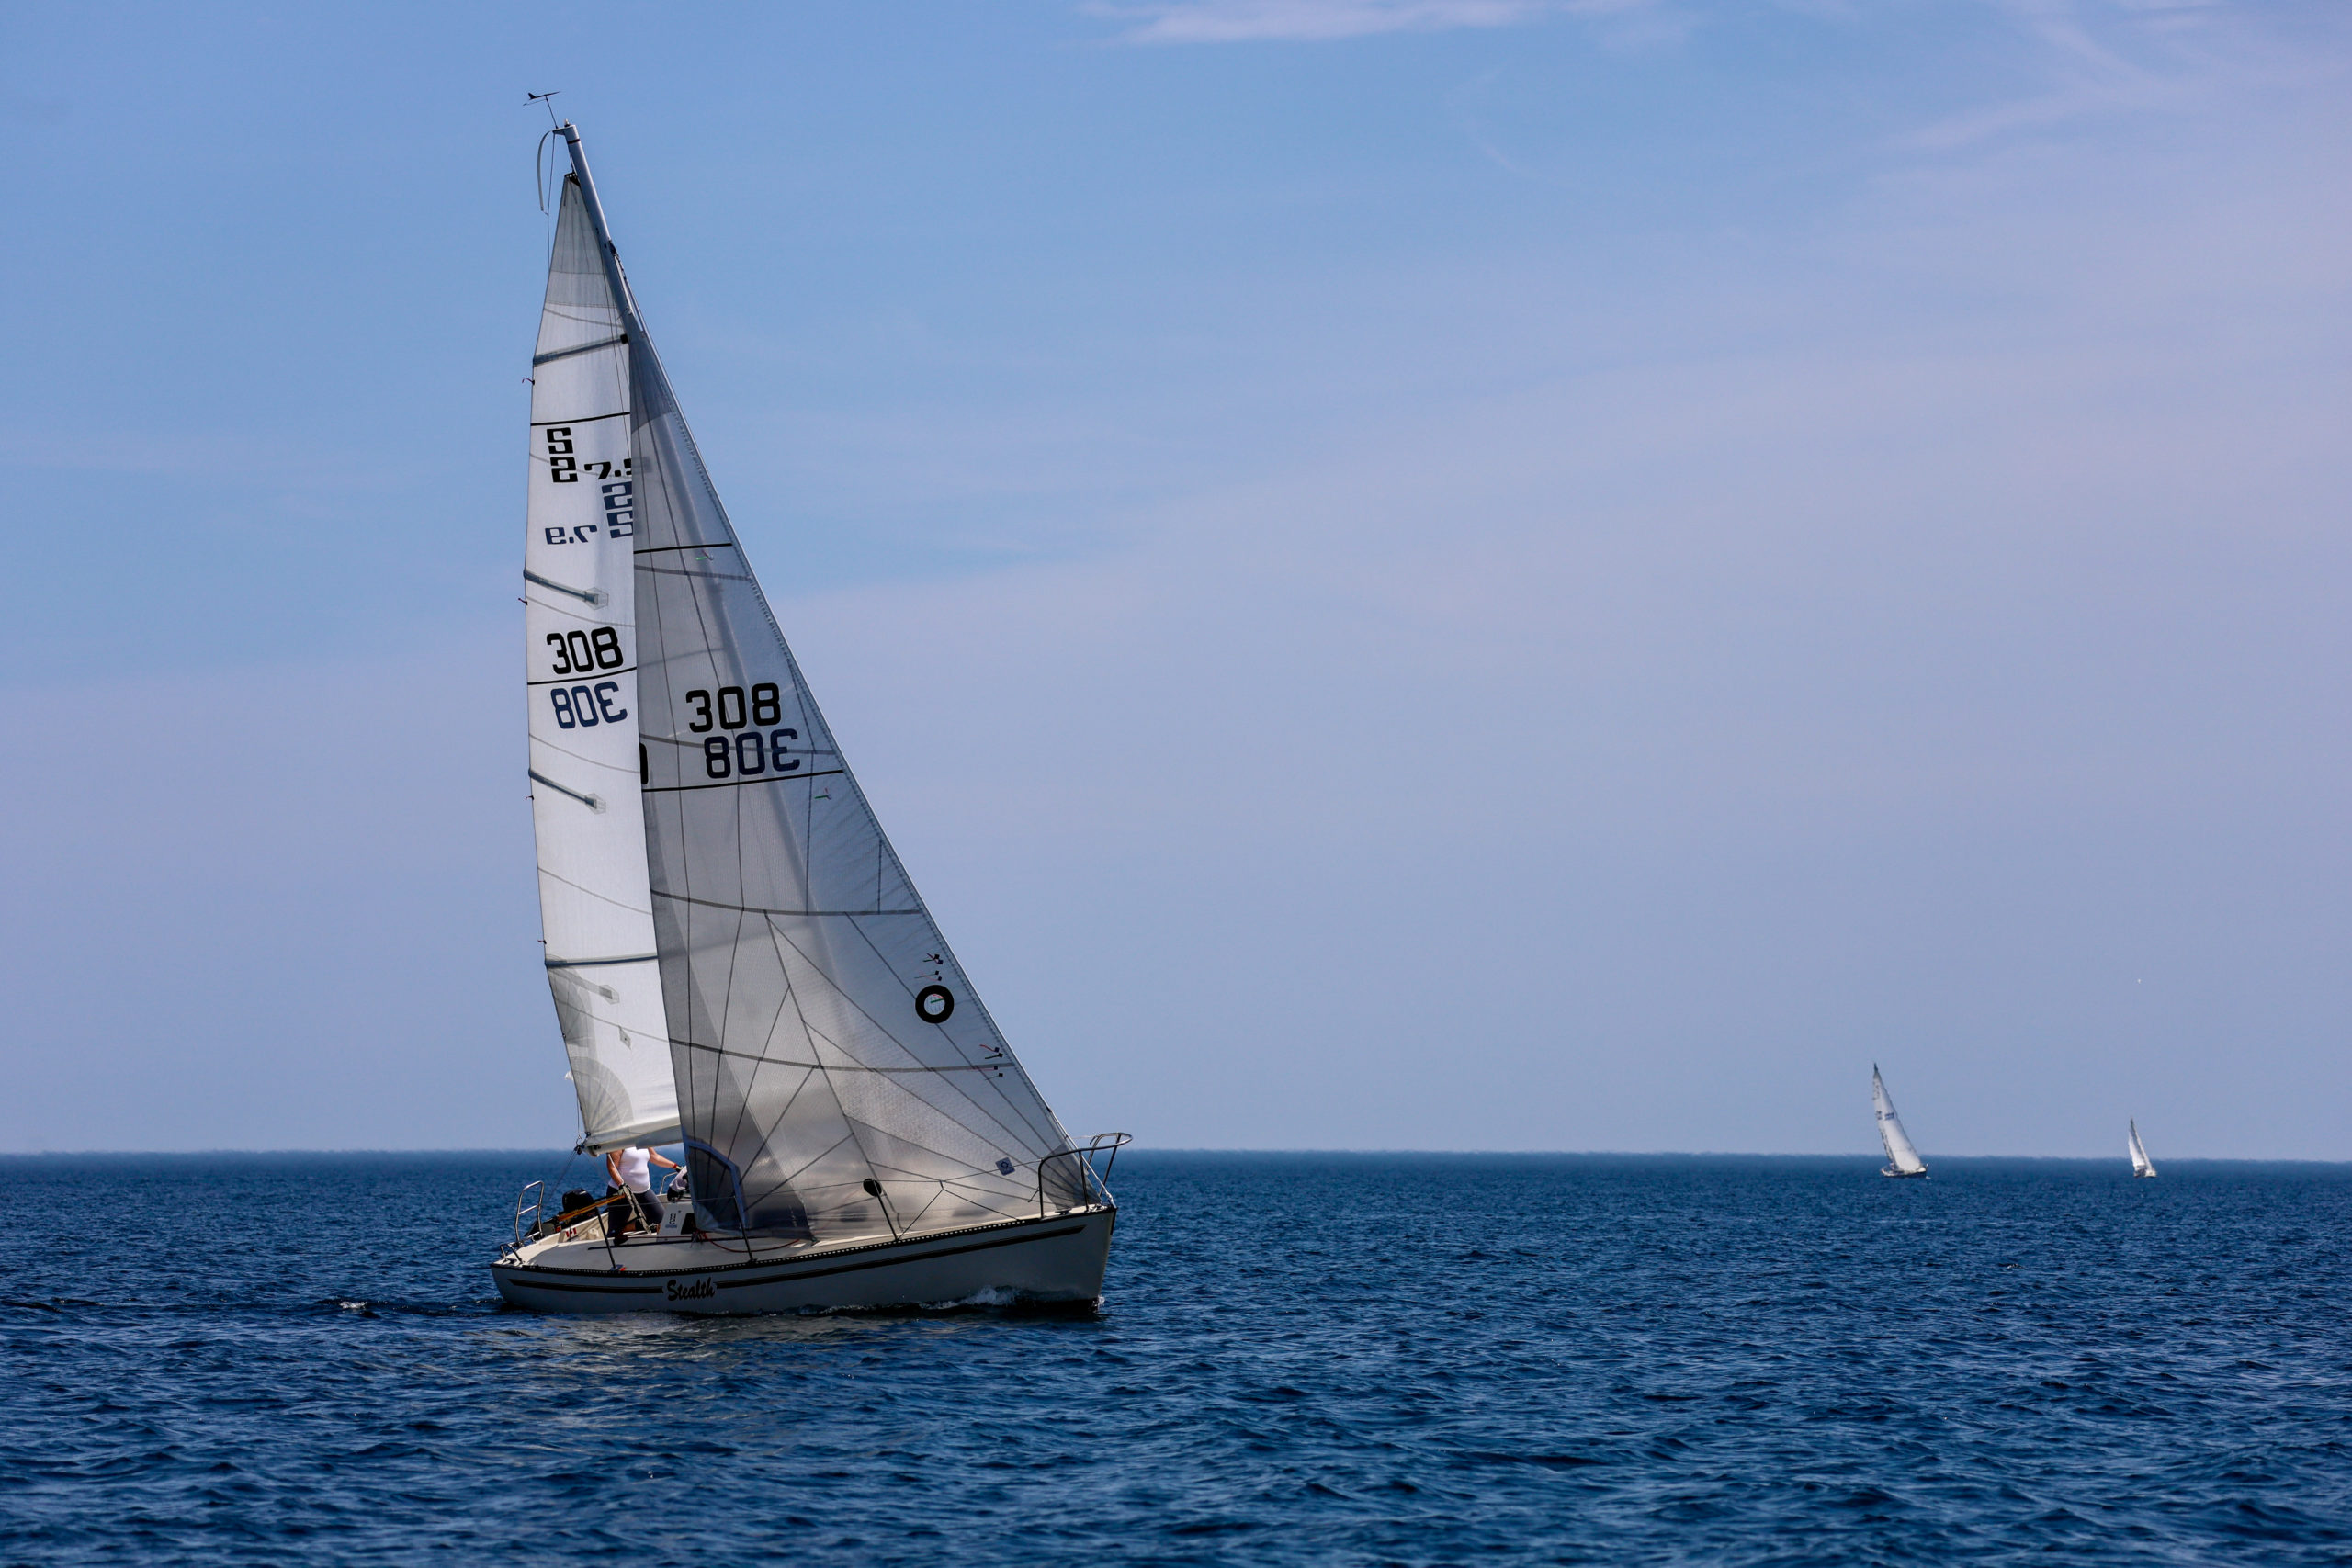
{"type": "Point", "coordinates": [740, 960]}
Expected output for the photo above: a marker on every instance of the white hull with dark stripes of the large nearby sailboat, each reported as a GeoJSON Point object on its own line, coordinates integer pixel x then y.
{"type": "Point", "coordinates": [1055, 1259]}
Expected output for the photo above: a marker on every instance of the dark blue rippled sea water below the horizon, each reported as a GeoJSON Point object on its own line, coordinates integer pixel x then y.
{"type": "Point", "coordinates": [1302, 1360]}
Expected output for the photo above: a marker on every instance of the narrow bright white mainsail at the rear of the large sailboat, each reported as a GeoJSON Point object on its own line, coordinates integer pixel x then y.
{"type": "Point", "coordinates": [582, 678]}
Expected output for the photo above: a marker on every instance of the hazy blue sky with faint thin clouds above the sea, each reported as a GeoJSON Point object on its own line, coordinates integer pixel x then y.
{"type": "Point", "coordinates": [1405, 575]}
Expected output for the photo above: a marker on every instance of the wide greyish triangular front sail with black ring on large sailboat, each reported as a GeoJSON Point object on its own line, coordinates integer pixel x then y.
{"type": "Point", "coordinates": [836, 1071]}
